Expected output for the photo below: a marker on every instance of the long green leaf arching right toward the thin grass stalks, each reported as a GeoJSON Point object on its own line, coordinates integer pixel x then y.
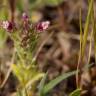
{"type": "Point", "coordinates": [56, 81]}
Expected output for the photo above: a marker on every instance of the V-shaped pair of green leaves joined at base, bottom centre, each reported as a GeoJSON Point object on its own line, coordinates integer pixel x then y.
{"type": "Point", "coordinates": [45, 88]}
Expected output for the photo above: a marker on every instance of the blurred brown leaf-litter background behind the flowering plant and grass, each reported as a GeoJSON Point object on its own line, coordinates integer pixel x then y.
{"type": "Point", "coordinates": [60, 44]}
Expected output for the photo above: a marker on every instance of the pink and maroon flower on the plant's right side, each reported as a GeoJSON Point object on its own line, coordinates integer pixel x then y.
{"type": "Point", "coordinates": [42, 25]}
